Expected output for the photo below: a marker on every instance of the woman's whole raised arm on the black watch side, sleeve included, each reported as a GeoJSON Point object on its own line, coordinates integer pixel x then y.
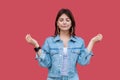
{"type": "Point", "coordinates": [42, 55]}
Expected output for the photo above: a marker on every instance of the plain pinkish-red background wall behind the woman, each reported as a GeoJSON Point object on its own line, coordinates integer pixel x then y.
{"type": "Point", "coordinates": [37, 17]}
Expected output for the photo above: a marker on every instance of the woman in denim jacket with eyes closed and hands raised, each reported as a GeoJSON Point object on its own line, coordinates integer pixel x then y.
{"type": "Point", "coordinates": [61, 52]}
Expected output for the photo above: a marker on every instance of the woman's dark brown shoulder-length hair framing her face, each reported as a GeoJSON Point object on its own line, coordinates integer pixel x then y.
{"type": "Point", "coordinates": [70, 15]}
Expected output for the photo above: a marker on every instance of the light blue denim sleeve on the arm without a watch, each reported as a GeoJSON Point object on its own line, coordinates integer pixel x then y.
{"type": "Point", "coordinates": [84, 56]}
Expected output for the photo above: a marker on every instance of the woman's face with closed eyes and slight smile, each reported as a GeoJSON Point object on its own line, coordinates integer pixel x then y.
{"type": "Point", "coordinates": [64, 22]}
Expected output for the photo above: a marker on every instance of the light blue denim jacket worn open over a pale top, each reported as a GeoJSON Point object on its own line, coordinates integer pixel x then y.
{"type": "Point", "coordinates": [52, 58]}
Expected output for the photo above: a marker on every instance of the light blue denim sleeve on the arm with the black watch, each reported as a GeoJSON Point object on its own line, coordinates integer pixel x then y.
{"type": "Point", "coordinates": [44, 58]}
